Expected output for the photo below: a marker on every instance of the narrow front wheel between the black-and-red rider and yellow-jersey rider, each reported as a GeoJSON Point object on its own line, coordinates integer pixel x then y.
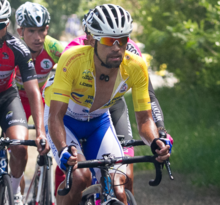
{"type": "Point", "coordinates": [46, 192]}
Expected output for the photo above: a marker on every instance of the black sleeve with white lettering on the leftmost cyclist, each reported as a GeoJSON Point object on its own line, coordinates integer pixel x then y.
{"type": "Point", "coordinates": [24, 61]}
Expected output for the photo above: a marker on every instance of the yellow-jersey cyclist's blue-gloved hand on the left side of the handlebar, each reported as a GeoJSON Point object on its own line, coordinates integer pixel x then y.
{"type": "Point", "coordinates": [68, 157]}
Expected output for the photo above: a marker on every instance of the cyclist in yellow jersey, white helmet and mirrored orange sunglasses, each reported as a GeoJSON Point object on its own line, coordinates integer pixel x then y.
{"type": "Point", "coordinates": [88, 81]}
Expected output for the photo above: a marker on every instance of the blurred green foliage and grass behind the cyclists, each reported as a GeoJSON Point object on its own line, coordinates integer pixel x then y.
{"type": "Point", "coordinates": [181, 43]}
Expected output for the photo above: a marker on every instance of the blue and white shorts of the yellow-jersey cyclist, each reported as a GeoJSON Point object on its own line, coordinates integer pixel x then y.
{"type": "Point", "coordinates": [100, 139]}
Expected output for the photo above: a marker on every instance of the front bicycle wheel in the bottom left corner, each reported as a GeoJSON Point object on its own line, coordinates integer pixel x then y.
{"type": "Point", "coordinates": [6, 195]}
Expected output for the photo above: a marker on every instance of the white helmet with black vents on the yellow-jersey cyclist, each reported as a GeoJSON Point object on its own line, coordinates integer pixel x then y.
{"type": "Point", "coordinates": [109, 20]}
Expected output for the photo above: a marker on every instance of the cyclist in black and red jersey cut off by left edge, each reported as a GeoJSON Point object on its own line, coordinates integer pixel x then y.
{"type": "Point", "coordinates": [14, 52]}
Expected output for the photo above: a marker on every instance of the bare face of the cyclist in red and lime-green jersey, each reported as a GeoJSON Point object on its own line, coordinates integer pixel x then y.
{"type": "Point", "coordinates": [34, 37]}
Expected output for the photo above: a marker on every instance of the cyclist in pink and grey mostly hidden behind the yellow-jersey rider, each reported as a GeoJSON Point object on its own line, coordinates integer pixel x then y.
{"type": "Point", "coordinates": [119, 111]}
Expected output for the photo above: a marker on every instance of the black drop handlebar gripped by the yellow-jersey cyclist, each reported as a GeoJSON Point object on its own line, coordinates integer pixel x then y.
{"type": "Point", "coordinates": [111, 161]}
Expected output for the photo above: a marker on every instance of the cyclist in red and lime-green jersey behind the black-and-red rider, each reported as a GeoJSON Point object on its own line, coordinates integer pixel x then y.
{"type": "Point", "coordinates": [45, 50]}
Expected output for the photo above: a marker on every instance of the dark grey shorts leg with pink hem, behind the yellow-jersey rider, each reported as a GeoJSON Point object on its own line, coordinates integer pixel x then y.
{"type": "Point", "coordinates": [121, 122]}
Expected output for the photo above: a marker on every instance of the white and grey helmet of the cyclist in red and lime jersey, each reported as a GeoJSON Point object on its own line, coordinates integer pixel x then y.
{"type": "Point", "coordinates": [32, 15]}
